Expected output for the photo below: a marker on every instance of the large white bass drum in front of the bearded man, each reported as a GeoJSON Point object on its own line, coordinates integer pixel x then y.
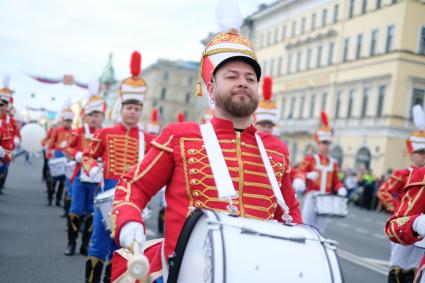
{"type": "Point", "coordinates": [215, 247]}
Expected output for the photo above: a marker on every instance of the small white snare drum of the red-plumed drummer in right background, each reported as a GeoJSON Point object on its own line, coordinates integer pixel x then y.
{"type": "Point", "coordinates": [331, 205]}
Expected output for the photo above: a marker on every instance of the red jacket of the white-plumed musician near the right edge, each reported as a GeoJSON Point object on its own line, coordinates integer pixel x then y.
{"type": "Point", "coordinates": [391, 191]}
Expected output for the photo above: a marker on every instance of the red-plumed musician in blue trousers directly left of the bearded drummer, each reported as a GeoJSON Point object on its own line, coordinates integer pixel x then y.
{"type": "Point", "coordinates": [120, 147]}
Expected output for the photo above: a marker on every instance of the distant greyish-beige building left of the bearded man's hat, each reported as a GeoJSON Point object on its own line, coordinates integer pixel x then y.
{"type": "Point", "coordinates": [171, 88]}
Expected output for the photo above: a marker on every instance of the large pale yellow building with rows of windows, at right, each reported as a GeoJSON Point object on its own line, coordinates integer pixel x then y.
{"type": "Point", "coordinates": [361, 61]}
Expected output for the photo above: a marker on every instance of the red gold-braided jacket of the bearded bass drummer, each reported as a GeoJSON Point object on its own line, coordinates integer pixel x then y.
{"type": "Point", "coordinates": [178, 160]}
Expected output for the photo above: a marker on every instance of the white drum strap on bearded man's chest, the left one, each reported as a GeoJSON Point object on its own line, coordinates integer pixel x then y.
{"type": "Point", "coordinates": [221, 174]}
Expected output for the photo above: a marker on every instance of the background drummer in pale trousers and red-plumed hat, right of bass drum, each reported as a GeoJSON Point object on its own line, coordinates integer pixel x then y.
{"type": "Point", "coordinates": [318, 173]}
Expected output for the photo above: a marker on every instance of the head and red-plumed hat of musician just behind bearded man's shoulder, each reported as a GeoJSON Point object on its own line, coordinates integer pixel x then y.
{"type": "Point", "coordinates": [266, 113]}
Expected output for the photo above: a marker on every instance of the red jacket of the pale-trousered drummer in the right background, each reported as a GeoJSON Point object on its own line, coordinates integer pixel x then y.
{"type": "Point", "coordinates": [309, 164]}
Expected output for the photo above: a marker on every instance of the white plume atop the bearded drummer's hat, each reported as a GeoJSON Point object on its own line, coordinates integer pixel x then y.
{"type": "Point", "coordinates": [228, 15]}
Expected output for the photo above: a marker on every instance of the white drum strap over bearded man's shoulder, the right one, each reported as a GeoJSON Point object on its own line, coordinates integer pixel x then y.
{"type": "Point", "coordinates": [272, 177]}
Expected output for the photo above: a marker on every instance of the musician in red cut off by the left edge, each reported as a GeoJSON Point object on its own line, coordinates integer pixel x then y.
{"type": "Point", "coordinates": [6, 132]}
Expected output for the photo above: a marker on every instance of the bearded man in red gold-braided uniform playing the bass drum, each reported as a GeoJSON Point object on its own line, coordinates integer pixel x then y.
{"type": "Point", "coordinates": [179, 159]}
